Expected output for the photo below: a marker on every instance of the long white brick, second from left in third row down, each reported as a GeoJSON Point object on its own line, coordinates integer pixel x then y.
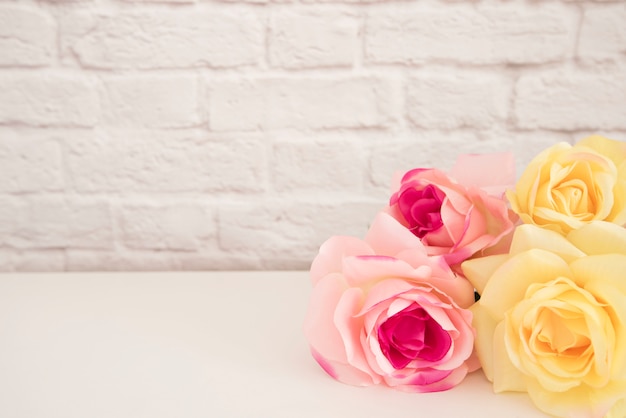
{"type": "Point", "coordinates": [166, 162]}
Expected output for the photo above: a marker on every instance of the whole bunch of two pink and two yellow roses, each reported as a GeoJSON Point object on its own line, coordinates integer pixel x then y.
{"type": "Point", "coordinates": [469, 269]}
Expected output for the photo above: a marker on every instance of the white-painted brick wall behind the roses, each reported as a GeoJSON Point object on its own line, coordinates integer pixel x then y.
{"type": "Point", "coordinates": [240, 134]}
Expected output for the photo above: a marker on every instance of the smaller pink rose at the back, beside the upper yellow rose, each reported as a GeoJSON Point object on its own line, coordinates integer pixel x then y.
{"type": "Point", "coordinates": [458, 219]}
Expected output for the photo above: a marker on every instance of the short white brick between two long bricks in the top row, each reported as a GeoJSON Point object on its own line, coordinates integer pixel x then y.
{"type": "Point", "coordinates": [305, 40]}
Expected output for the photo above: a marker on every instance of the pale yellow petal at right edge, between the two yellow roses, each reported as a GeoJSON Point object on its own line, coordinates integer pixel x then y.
{"type": "Point", "coordinates": [599, 238]}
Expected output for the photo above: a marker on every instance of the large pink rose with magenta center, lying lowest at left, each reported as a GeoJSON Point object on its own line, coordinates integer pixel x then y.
{"type": "Point", "coordinates": [383, 311]}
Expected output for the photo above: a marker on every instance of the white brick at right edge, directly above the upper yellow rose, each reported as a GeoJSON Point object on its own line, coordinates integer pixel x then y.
{"type": "Point", "coordinates": [571, 101]}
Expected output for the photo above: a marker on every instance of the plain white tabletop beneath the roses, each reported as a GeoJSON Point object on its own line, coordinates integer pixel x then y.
{"type": "Point", "coordinates": [210, 344]}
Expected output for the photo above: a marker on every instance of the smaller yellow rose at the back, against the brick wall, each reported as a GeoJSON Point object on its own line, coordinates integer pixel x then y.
{"type": "Point", "coordinates": [565, 186]}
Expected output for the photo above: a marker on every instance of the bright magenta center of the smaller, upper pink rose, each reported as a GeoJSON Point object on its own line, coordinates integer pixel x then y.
{"type": "Point", "coordinates": [422, 209]}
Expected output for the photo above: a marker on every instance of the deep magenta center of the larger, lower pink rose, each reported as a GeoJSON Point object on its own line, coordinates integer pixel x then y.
{"type": "Point", "coordinates": [412, 334]}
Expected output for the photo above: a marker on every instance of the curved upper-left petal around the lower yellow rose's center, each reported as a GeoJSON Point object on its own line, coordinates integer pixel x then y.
{"type": "Point", "coordinates": [508, 284]}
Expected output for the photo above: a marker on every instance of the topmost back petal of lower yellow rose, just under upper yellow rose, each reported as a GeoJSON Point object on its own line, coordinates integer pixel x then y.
{"type": "Point", "coordinates": [527, 237]}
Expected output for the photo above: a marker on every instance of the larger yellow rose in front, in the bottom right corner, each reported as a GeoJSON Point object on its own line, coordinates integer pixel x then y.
{"type": "Point", "coordinates": [551, 320]}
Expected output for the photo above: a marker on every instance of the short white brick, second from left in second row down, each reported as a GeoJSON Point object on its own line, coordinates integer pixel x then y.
{"type": "Point", "coordinates": [151, 101]}
